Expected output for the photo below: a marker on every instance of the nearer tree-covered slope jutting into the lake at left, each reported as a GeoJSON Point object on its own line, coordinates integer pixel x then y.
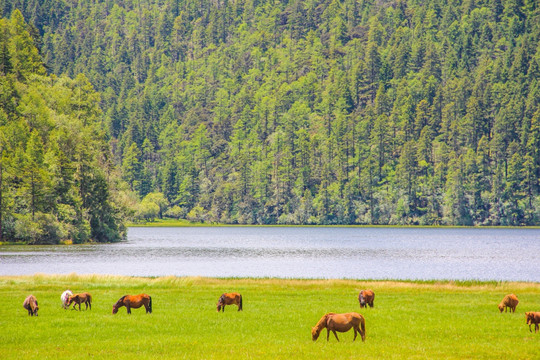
{"type": "Point", "coordinates": [55, 172]}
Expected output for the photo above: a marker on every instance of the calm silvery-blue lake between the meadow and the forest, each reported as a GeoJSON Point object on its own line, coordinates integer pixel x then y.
{"type": "Point", "coordinates": [289, 252]}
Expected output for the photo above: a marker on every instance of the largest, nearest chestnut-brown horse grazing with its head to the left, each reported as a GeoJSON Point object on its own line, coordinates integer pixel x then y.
{"type": "Point", "coordinates": [342, 323]}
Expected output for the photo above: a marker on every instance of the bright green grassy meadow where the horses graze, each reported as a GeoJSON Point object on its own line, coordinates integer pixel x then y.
{"type": "Point", "coordinates": [410, 320]}
